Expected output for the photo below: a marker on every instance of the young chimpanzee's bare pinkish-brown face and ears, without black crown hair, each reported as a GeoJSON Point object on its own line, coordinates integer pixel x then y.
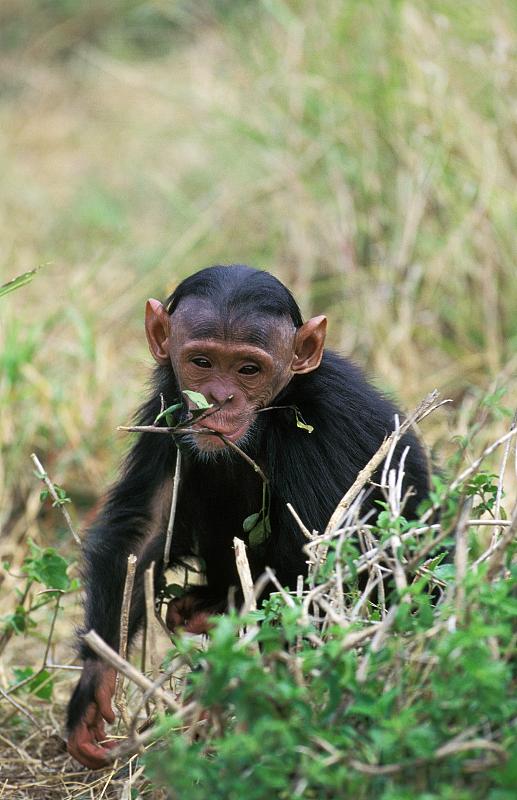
{"type": "Point", "coordinates": [241, 369]}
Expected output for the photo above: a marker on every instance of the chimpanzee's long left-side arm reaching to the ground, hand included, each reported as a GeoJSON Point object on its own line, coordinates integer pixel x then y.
{"type": "Point", "coordinates": [133, 509]}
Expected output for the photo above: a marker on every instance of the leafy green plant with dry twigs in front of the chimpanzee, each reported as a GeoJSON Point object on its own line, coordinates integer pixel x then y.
{"type": "Point", "coordinates": [398, 689]}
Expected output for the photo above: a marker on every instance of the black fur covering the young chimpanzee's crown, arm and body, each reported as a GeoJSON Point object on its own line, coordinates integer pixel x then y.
{"type": "Point", "coordinates": [311, 471]}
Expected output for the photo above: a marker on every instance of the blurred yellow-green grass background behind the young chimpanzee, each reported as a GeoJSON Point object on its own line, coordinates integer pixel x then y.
{"type": "Point", "coordinates": [364, 151]}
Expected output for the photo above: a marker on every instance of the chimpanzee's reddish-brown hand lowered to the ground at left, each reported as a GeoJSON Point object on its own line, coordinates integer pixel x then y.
{"type": "Point", "coordinates": [87, 733]}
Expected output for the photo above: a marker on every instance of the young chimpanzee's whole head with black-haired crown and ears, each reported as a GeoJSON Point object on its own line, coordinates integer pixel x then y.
{"type": "Point", "coordinates": [236, 335]}
